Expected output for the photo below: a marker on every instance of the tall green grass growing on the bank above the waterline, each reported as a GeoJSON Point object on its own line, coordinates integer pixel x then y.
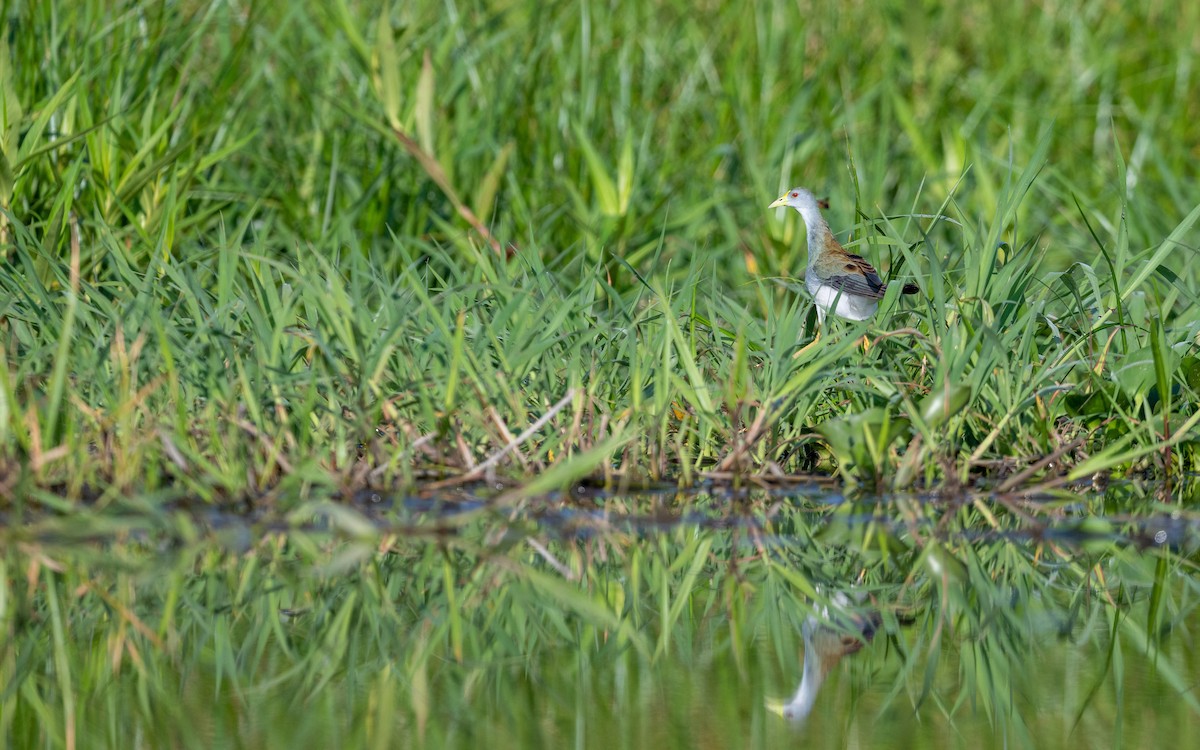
{"type": "Point", "coordinates": [297, 249]}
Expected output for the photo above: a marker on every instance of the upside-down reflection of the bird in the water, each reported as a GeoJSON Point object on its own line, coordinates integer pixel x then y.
{"type": "Point", "coordinates": [836, 634]}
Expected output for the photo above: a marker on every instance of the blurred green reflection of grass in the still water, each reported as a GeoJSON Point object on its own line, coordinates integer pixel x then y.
{"type": "Point", "coordinates": [679, 635]}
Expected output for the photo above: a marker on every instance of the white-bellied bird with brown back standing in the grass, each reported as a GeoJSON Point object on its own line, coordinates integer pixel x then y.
{"type": "Point", "coordinates": [841, 283]}
